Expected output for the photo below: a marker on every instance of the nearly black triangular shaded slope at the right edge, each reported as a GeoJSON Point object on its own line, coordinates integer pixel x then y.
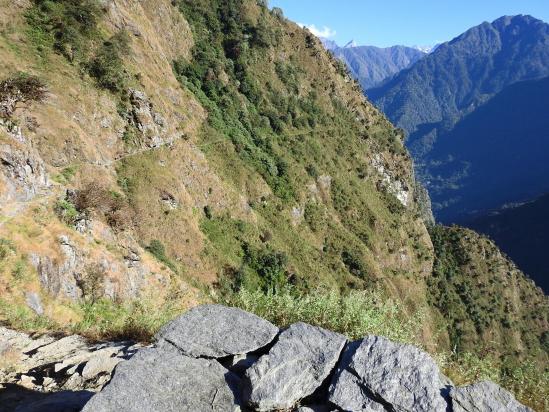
{"type": "Point", "coordinates": [521, 232]}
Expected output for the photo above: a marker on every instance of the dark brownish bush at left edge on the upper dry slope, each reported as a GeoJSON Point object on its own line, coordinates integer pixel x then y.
{"type": "Point", "coordinates": [20, 89]}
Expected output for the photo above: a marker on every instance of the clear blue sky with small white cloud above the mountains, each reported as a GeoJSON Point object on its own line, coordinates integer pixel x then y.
{"type": "Point", "coordinates": [385, 23]}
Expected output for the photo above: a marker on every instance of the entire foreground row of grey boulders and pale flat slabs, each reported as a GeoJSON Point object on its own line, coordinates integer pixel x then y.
{"type": "Point", "coordinates": [215, 358]}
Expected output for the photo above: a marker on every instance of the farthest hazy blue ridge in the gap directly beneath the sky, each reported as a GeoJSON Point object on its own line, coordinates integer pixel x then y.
{"type": "Point", "coordinates": [372, 66]}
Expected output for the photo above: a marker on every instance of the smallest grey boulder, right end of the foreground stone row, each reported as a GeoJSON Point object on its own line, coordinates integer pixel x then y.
{"type": "Point", "coordinates": [484, 397]}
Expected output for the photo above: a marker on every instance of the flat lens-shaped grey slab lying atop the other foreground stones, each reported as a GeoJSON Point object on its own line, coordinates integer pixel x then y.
{"type": "Point", "coordinates": [217, 331]}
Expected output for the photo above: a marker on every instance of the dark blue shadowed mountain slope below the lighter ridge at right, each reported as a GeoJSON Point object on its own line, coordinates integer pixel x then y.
{"type": "Point", "coordinates": [496, 155]}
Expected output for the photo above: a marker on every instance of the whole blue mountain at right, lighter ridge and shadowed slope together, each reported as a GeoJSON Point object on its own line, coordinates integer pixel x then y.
{"type": "Point", "coordinates": [432, 99]}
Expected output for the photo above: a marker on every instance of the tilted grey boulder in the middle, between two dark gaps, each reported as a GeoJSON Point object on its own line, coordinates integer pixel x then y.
{"type": "Point", "coordinates": [294, 368]}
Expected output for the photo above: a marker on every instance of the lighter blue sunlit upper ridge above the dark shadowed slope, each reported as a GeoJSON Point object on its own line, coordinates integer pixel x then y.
{"type": "Point", "coordinates": [485, 59]}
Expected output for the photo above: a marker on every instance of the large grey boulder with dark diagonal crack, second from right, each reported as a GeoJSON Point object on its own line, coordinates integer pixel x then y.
{"type": "Point", "coordinates": [376, 374]}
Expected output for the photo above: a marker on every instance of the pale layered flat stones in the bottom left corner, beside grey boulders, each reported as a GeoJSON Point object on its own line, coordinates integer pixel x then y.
{"type": "Point", "coordinates": [69, 366]}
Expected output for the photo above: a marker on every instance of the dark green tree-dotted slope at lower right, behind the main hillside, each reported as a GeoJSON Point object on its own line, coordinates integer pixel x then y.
{"type": "Point", "coordinates": [479, 292]}
